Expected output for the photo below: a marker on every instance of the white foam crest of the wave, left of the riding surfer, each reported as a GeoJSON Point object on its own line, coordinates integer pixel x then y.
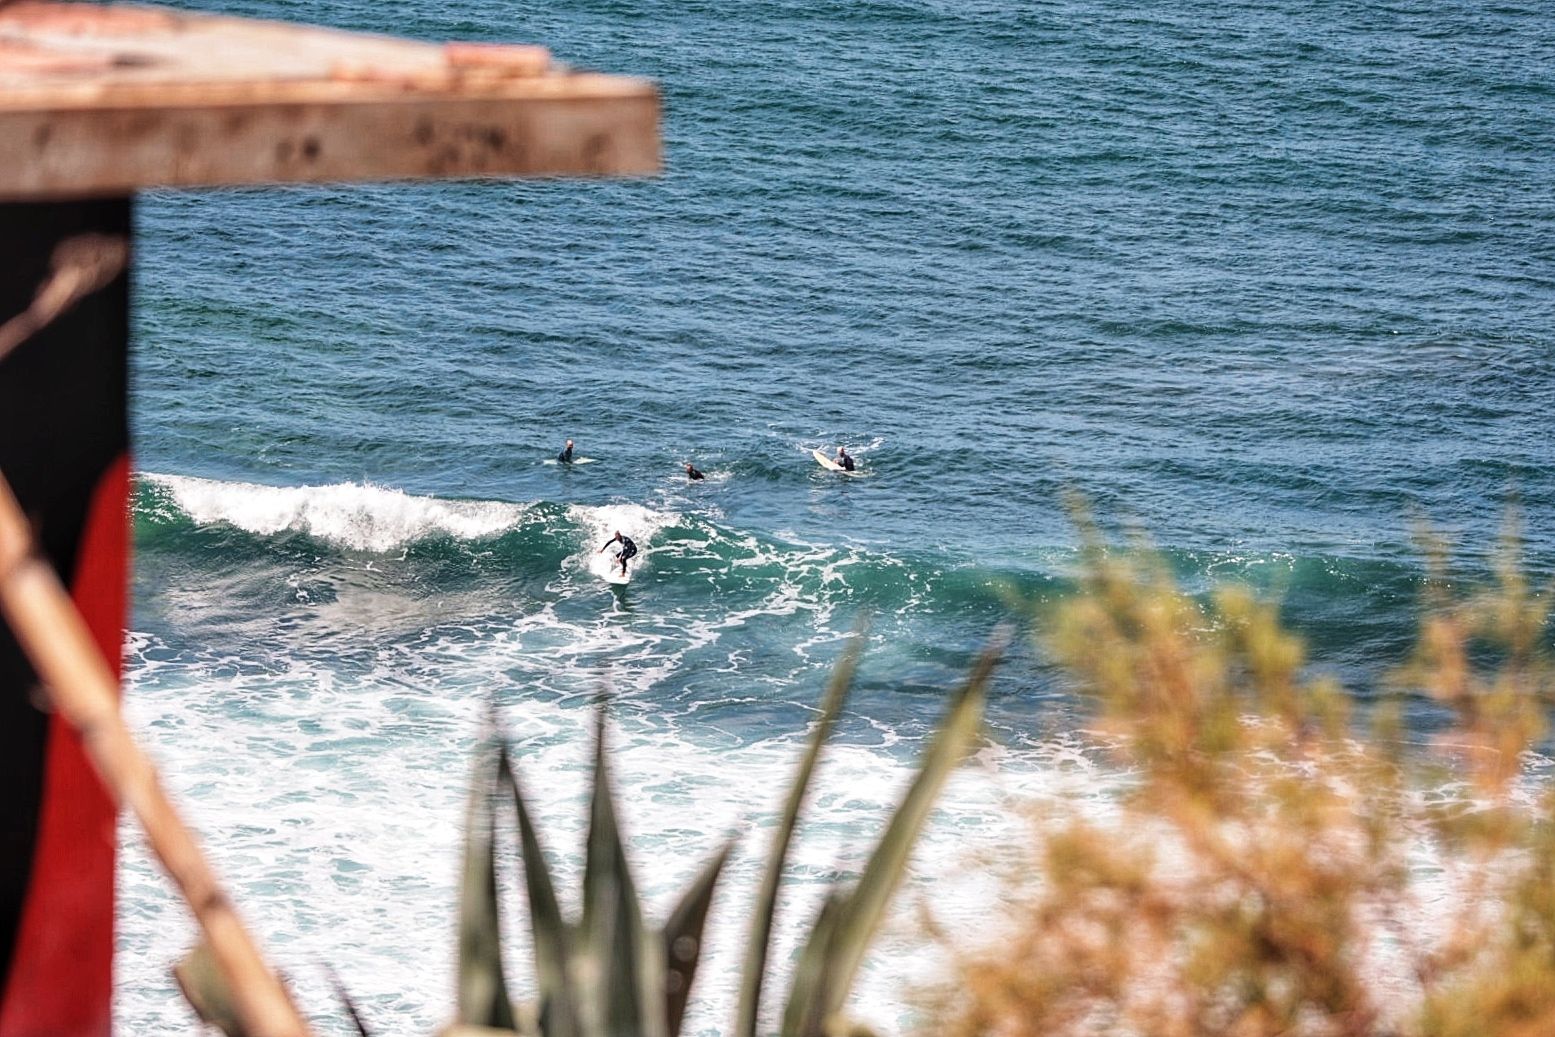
{"type": "Point", "coordinates": [358, 517]}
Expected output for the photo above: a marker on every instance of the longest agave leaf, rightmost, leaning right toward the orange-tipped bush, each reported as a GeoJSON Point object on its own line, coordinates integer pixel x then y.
{"type": "Point", "coordinates": [844, 946]}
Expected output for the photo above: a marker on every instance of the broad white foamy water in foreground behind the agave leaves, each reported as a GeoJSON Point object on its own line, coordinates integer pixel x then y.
{"type": "Point", "coordinates": [334, 808]}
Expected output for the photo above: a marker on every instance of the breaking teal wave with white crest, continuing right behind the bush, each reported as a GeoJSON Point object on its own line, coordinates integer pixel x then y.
{"type": "Point", "coordinates": [351, 564]}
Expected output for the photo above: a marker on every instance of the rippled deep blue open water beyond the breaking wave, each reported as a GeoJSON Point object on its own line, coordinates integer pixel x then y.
{"type": "Point", "coordinates": [1260, 281]}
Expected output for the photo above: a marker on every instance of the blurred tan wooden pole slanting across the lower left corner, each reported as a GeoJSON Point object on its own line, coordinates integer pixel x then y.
{"type": "Point", "coordinates": [85, 693]}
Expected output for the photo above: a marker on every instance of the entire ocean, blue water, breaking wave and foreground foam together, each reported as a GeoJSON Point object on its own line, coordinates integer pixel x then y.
{"type": "Point", "coordinates": [1271, 284]}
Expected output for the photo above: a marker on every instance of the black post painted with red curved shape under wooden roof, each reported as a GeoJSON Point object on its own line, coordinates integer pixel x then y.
{"type": "Point", "coordinates": [65, 450]}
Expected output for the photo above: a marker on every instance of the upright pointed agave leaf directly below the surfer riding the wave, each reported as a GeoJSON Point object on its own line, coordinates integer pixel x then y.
{"type": "Point", "coordinates": [615, 943]}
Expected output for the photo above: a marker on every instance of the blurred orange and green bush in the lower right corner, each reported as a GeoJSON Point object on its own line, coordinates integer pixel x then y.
{"type": "Point", "coordinates": [1276, 864]}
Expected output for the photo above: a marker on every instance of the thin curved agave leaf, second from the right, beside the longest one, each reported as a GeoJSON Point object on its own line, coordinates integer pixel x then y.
{"type": "Point", "coordinates": [760, 938]}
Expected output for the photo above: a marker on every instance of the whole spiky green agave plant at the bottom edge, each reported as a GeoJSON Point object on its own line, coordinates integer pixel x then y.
{"type": "Point", "coordinates": [610, 974]}
